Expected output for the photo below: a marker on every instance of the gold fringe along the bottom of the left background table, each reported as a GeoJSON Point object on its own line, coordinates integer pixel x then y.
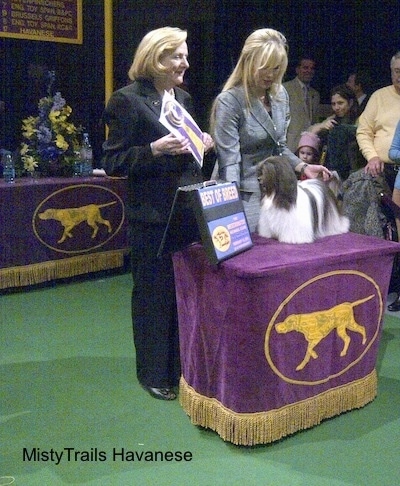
{"type": "Point", "coordinates": [64, 268]}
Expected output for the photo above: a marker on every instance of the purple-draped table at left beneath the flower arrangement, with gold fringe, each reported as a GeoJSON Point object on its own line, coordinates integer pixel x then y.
{"type": "Point", "coordinates": [60, 227]}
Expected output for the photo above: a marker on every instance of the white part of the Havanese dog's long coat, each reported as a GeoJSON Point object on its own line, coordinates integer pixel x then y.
{"type": "Point", "coordinates": [296, 225]}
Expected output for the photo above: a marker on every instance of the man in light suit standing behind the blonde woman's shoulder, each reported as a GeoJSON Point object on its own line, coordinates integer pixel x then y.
{"type": "Point", "coordinates": [304, 101]}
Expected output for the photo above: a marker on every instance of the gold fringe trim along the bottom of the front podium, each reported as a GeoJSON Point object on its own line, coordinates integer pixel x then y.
{"type": "Point", "coordinates": [265, 427]}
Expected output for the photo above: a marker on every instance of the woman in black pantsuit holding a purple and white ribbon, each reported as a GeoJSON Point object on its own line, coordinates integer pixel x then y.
{"type": "Point", "coordinates": [156, 163]}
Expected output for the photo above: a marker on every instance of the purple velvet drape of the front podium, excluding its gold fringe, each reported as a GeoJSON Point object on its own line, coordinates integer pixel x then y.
{"type": "Point", "coordinates": [230, 347]}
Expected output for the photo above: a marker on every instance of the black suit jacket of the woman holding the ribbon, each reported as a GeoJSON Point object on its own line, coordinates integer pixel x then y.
{"type": "Point", "coordinates": [132, 115]}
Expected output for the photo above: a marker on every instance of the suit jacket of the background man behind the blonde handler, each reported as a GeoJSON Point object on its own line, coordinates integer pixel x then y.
{"type": "Point", "coordinates": [299, 118]}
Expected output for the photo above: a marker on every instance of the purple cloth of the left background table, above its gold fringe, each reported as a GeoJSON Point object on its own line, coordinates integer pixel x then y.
{"type": "Point", "coordinates": [26, 239]}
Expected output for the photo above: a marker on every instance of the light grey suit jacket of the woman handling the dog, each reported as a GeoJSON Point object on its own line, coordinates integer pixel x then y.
{"type": "Point", "coordinates": [245, 137]}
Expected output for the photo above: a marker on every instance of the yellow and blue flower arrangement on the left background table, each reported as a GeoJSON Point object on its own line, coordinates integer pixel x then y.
{"type": "Point", "coordinates": [50, 138]}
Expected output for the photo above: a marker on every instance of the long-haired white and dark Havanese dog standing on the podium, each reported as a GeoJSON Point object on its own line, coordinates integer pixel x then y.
{"type": "Point", "coordinates": [295, 211]}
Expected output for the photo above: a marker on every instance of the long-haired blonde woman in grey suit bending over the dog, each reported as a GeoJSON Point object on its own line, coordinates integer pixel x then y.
{"type": "Point", "coordinates": [251, 115]}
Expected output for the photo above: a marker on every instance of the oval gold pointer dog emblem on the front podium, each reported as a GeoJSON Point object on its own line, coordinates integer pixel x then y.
{"type": "Point", "coordinates": [334, 337]}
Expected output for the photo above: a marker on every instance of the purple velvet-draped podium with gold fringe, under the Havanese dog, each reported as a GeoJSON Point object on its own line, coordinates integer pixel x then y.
{"type": "Point", "coordinates": [281, 336]}
